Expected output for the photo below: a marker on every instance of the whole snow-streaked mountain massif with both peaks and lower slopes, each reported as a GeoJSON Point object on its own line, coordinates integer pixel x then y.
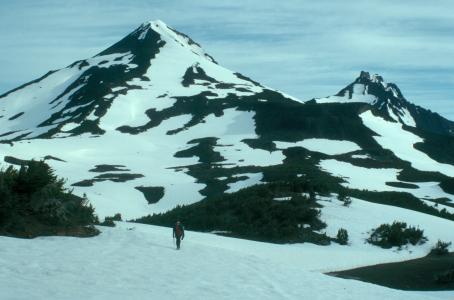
{"type": "Point", "coordinates": [154, 121]}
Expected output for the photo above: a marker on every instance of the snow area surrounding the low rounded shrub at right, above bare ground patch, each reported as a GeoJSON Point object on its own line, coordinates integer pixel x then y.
{"type": "Point", "coordinates": [359, 218]}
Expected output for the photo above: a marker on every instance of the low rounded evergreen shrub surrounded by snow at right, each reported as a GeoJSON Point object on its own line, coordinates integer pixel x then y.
{"type": "Point", "coordinates": [396, 234]}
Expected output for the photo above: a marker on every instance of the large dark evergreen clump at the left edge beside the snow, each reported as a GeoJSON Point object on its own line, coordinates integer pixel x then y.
{"type": "Point", "coordinates": [33, 202]}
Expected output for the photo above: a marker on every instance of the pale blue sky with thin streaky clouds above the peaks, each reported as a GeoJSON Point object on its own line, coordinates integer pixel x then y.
{"type": "Point", "coordinates": [304, 48]}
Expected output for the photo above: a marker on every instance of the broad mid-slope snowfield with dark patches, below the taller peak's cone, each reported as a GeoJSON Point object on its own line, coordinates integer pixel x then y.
{"type": "Point", "coordinates": [151, 155]}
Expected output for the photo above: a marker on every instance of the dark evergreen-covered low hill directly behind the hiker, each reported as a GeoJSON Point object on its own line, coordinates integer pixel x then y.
{"type": "Point", "coordinates": [257, 213]}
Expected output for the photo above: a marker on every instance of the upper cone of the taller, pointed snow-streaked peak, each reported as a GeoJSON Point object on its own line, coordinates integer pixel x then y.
{"type": "Point", "coordinates": [152, 66]}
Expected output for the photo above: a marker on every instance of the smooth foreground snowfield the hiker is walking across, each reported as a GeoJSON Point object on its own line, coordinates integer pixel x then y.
{"type": "Point", "coordinates": [134, 261]}
